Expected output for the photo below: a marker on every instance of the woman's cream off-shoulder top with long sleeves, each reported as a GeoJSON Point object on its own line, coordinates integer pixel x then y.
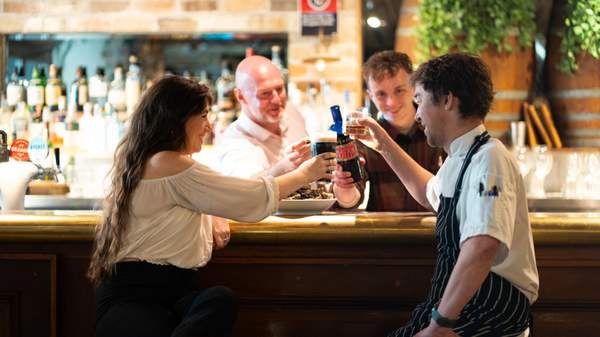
{"type": "Point", "coordinates": [168, 222]}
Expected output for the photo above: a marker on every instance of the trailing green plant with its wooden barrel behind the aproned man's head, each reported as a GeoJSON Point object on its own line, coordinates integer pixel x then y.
{"type": "Point", "coordinates": [502, 31]}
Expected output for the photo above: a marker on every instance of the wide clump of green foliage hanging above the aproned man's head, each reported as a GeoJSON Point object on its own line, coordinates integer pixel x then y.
{"type": "Point", "coordinates": [472, 25]}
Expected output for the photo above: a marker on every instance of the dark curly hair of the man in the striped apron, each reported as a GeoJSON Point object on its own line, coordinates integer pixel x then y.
{"type": "Point", "coordinates": [464, 75]}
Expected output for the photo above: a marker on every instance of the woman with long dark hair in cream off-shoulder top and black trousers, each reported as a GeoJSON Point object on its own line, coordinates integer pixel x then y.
{"type": "Point", "coordinates": [162, 220]}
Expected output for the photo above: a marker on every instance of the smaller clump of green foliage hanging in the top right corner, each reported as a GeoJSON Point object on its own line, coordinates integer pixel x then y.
{"type": "Point", "coordinates": [581, 33]}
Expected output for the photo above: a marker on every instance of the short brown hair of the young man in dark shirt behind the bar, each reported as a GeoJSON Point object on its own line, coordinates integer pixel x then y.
{"type": "Point", "coordinates": [386, 64]}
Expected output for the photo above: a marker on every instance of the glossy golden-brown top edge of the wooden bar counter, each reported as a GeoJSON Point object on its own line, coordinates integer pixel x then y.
{"type": "Point", "coordinates": [328, 227]}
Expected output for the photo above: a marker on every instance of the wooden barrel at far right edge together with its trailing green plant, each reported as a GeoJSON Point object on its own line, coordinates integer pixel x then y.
{"type": "Point", "coordinates": [572, 70]}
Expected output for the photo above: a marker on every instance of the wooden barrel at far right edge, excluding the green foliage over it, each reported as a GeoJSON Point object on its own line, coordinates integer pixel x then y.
{"type": "Point", "coordinates": [574, 99]}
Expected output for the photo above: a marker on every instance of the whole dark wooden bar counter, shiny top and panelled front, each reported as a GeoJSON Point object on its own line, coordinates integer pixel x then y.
{"type": "Point", "coordinates": [343, 274]}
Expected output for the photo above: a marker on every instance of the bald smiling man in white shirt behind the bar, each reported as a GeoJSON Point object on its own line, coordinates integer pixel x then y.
{"type": "Point", "coordinates": [267, 138]}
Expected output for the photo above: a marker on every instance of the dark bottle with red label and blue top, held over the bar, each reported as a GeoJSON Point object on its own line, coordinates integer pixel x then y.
{"type": "Point", "coordinates": [346, 151]}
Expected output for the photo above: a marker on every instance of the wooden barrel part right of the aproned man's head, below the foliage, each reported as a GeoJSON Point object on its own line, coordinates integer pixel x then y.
{"type": "Point", "coordinates": [512, 76]}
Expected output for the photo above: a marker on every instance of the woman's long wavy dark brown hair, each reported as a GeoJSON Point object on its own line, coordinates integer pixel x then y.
{"type": "Point", "coordinates": [157, 124]}
